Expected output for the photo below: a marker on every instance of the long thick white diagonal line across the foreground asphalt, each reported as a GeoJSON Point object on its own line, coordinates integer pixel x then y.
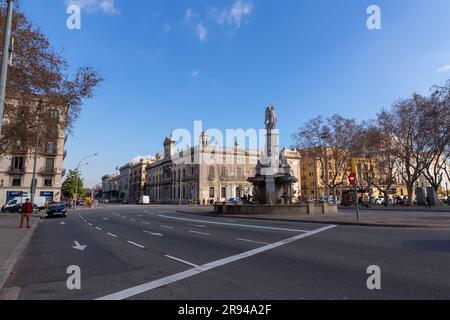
{"type": "Point", "coordinates": [127, 293]}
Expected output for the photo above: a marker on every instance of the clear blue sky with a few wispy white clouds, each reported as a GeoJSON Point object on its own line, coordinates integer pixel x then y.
{"type": "Point", "coordinates": [168, 63]}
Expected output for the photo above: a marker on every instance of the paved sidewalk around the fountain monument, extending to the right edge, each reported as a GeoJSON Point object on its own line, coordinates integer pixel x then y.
{"type": "Point", "coordinates": [374, 218]}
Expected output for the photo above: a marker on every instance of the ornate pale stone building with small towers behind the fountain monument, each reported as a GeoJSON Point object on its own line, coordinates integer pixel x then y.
{"type": "Point", "coordinates": [206, 173]}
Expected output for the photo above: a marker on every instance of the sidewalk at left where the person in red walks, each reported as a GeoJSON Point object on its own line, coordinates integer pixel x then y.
{"type": "Point", "coordinates": [13, 242]}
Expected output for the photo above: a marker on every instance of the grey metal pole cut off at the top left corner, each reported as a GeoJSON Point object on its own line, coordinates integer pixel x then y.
{"type": "Point", "coordinates": [5, 60]}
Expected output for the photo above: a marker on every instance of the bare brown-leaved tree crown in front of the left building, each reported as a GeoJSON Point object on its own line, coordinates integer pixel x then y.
{"type": "Point", "coordinates": [38, 72]}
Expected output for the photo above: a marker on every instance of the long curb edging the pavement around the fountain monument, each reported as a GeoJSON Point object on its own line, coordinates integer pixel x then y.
{"type": "Point", "coordinates": [342, 223]}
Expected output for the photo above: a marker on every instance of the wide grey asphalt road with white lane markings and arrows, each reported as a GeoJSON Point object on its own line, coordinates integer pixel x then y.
{"type": "Point", "coordinates": [155, 252]}
